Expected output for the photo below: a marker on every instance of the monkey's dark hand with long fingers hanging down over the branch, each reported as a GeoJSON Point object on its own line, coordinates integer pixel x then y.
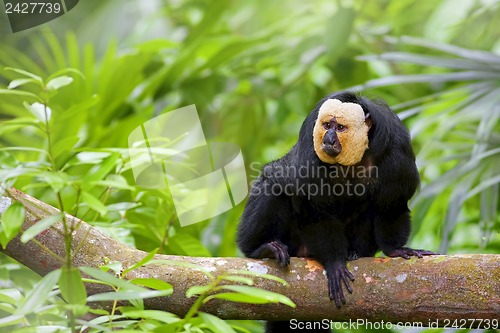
{"type": "Point", "coordinates": [338, 274]}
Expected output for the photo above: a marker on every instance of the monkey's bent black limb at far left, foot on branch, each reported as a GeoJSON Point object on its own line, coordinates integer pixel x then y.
{"type": "Point", "coordinates": [263, 230]}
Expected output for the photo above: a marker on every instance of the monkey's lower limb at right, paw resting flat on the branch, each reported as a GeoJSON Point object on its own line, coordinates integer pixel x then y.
{"type": "Point", "coordinates": [392, 231]}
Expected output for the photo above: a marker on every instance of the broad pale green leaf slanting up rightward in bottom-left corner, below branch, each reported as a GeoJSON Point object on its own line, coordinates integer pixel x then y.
{"type": "Point", "coordinates": [39, 294]}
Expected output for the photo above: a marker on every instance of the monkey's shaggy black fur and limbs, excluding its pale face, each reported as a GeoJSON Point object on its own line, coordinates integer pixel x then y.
{"type": "Point", "coordinates": [335, 227]}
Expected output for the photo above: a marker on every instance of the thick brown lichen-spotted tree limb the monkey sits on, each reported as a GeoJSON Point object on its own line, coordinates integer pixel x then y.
{"type": "Point", "coordinates": [394, 290]}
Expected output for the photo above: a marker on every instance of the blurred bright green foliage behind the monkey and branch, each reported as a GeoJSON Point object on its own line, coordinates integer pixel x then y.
{"type": "Point", "coordinates": [255, 69]}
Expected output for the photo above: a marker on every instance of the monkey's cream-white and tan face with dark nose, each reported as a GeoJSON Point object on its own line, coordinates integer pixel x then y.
{"type": "Point", "coordinates": [340, 134]}
